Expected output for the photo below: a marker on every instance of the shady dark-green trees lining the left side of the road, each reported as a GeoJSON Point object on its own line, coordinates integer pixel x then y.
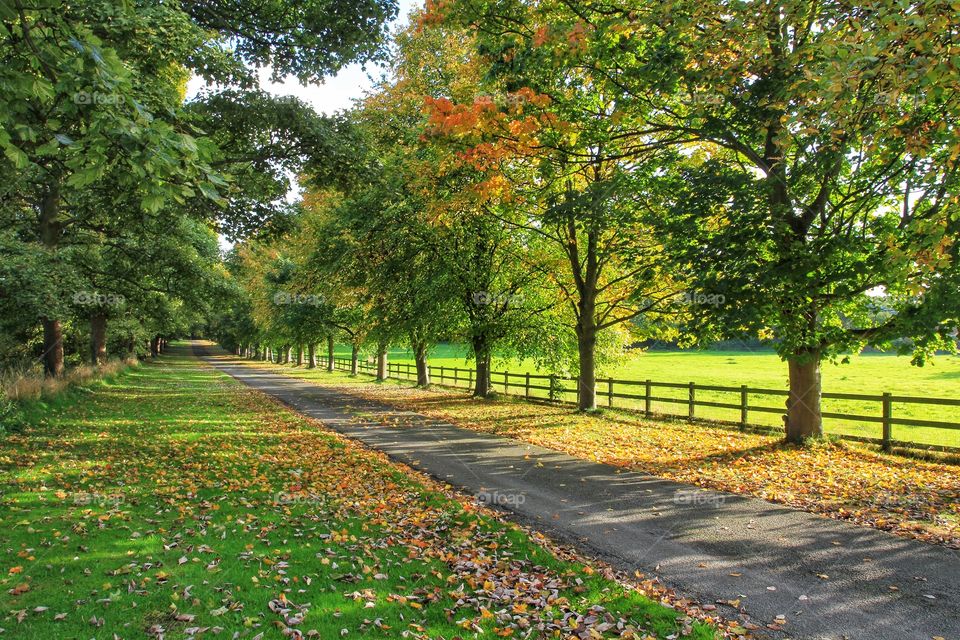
{"type": "Point", "coordinates": [114, 185]}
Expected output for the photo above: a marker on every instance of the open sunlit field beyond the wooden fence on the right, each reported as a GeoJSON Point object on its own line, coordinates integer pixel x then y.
{"type": "Point", "coordinates": [876, 398]}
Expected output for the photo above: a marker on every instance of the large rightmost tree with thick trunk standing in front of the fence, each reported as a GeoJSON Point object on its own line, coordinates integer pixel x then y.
{"type": "Point", "coordinates": [823, 150]}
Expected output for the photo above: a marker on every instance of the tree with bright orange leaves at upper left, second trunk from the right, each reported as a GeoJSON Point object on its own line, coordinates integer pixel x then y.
{"type": "Point", "coordinates": [558, 151]}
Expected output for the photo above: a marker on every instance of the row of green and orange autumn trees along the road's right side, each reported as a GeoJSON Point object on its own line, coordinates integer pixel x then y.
{"type": "Point", "coordinates": [550, 179]}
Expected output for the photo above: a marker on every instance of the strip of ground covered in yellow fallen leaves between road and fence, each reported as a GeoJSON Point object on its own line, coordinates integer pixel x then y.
{"type": "Point", "coordinates": [908, 497]}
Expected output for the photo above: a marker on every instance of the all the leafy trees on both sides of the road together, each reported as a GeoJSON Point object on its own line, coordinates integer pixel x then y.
{"type": "Point", "coordinates": [545, 179]}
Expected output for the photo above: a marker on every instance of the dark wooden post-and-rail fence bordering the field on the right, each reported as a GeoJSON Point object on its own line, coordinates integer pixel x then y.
{"type": "Point", "coordinates": [645, 393]}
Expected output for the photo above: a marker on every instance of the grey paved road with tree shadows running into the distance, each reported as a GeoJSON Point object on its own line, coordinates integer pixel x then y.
{"type": "Point", "coordinates": [829, 579]}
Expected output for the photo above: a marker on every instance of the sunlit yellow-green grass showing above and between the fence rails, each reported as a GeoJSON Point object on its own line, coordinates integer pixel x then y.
{"type": "Point", "coordinates": [870, 374]}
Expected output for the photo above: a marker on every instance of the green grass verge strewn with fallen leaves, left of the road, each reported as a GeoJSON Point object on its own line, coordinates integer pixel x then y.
{"type": "Point", "coordinates": [170, 502]}
